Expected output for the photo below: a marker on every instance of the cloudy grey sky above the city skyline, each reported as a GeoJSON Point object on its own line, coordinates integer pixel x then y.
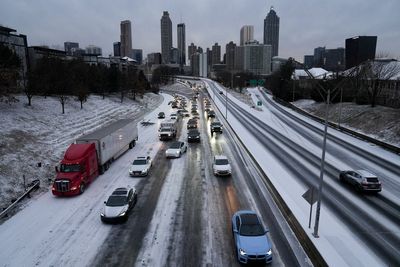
{"type": "Point", "coordinates": [304, 24]}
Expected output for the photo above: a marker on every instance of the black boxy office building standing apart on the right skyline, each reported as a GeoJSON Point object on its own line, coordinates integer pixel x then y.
{"type": "Point", "coordinates": [360, 49]}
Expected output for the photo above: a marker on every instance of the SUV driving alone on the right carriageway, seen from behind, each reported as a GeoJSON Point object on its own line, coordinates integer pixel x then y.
{"type": "Point", "coordinates": [361, 180]}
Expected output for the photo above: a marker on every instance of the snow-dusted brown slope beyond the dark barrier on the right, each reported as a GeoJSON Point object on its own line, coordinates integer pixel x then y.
{"type": "Point", "coordinates": [382, 123]}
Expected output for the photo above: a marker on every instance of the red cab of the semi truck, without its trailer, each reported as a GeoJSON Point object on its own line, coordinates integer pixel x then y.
{"type": "Point", "coordinates": [77, 169]}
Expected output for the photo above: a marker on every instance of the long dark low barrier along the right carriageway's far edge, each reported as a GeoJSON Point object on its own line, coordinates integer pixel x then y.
{"type": "Point", "coordinates": [387, 146]}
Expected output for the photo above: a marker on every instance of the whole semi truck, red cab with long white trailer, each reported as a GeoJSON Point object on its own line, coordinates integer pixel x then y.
{"type": "Point", "coordinates": [91, 155]}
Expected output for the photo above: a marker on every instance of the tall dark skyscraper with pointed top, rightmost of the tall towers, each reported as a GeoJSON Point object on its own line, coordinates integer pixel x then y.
{"type": "Point", "coordinates": [271, 31]}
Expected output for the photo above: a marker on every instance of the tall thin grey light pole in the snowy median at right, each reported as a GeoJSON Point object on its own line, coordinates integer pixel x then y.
{"type": "Point", "coordinates": [321, 175]}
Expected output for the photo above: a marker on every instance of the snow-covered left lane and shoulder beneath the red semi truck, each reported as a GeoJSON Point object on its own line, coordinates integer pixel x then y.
{"type": "Point", "coordinates": [75, 232]}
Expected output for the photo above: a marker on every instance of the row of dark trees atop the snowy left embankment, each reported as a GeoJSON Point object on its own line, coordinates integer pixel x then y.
{"type": "Point", "coordinates": [67, 79]}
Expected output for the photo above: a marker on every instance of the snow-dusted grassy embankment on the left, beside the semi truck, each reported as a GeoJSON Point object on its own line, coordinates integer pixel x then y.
{"type": "Point", "coordinates": [40, 133]}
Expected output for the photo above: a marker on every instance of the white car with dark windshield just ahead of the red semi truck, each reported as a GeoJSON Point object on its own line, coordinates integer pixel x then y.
{"type": "Point", "coordinates": [118, 205]}
